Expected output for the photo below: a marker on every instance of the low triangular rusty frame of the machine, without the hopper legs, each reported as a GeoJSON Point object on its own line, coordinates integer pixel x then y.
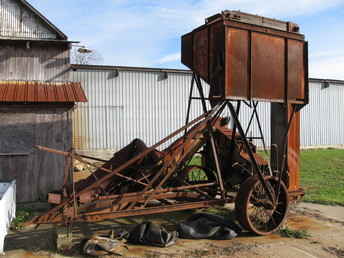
{"type": "Point", "coordinates": [129, 204]}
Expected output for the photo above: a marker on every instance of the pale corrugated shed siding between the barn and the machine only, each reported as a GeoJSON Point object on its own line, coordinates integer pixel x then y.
{"type": "Point", "coordinates": [132, 105]}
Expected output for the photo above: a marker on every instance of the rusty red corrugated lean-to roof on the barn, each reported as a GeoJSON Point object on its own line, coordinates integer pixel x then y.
{"type": "Point", "coordinates": [41, 92]}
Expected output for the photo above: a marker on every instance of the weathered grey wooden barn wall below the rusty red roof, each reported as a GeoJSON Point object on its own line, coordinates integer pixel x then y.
{"type": "Point", "coordinates": [38, 172]}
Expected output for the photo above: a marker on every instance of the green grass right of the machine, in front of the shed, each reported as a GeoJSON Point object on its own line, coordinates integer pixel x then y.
{"type": "Point", "coordinates": [322, 176]}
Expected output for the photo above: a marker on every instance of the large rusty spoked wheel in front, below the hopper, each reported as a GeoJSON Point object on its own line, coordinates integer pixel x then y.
{"type": "Point", "coordinates": [254, 209]}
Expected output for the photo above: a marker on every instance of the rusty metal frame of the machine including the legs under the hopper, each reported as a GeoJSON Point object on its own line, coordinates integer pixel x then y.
{"type": "Point", "coordinates": [152, 185]}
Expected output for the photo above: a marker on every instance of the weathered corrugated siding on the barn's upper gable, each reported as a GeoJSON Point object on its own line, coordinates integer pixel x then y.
{"type": "Point", "coordinates": [19, 22]}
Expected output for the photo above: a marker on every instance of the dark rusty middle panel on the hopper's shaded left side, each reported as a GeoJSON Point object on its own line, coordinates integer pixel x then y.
{"type": "Point", "coordinates": [201, 53]}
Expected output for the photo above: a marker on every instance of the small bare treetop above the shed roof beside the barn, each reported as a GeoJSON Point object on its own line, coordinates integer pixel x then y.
{"type": "Point", "coordinates": [82, 55]}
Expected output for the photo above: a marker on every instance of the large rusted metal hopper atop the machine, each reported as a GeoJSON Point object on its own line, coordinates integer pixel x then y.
{"type": "Point", "coordinates": [244, 56]}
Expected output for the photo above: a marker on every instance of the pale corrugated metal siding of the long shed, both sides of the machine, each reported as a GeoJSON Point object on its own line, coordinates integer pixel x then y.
{"type": "Point", "coordinates": [136, 105]}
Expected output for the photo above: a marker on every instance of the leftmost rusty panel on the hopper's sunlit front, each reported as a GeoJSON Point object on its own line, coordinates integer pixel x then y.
{"type": "Point", "coordinates": [238, 63]}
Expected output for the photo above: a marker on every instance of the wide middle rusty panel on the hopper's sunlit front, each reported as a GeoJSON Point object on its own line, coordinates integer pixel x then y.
{"type": "Point", "coordinates": [268, 67]}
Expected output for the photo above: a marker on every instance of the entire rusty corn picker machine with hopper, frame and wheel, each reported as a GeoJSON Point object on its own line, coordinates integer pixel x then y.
{"type": "Point", "coordinates": [244, 59]}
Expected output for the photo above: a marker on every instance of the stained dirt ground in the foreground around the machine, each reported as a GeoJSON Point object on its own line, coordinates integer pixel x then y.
{"type": "Point", "coordinates": [325, 225]}
